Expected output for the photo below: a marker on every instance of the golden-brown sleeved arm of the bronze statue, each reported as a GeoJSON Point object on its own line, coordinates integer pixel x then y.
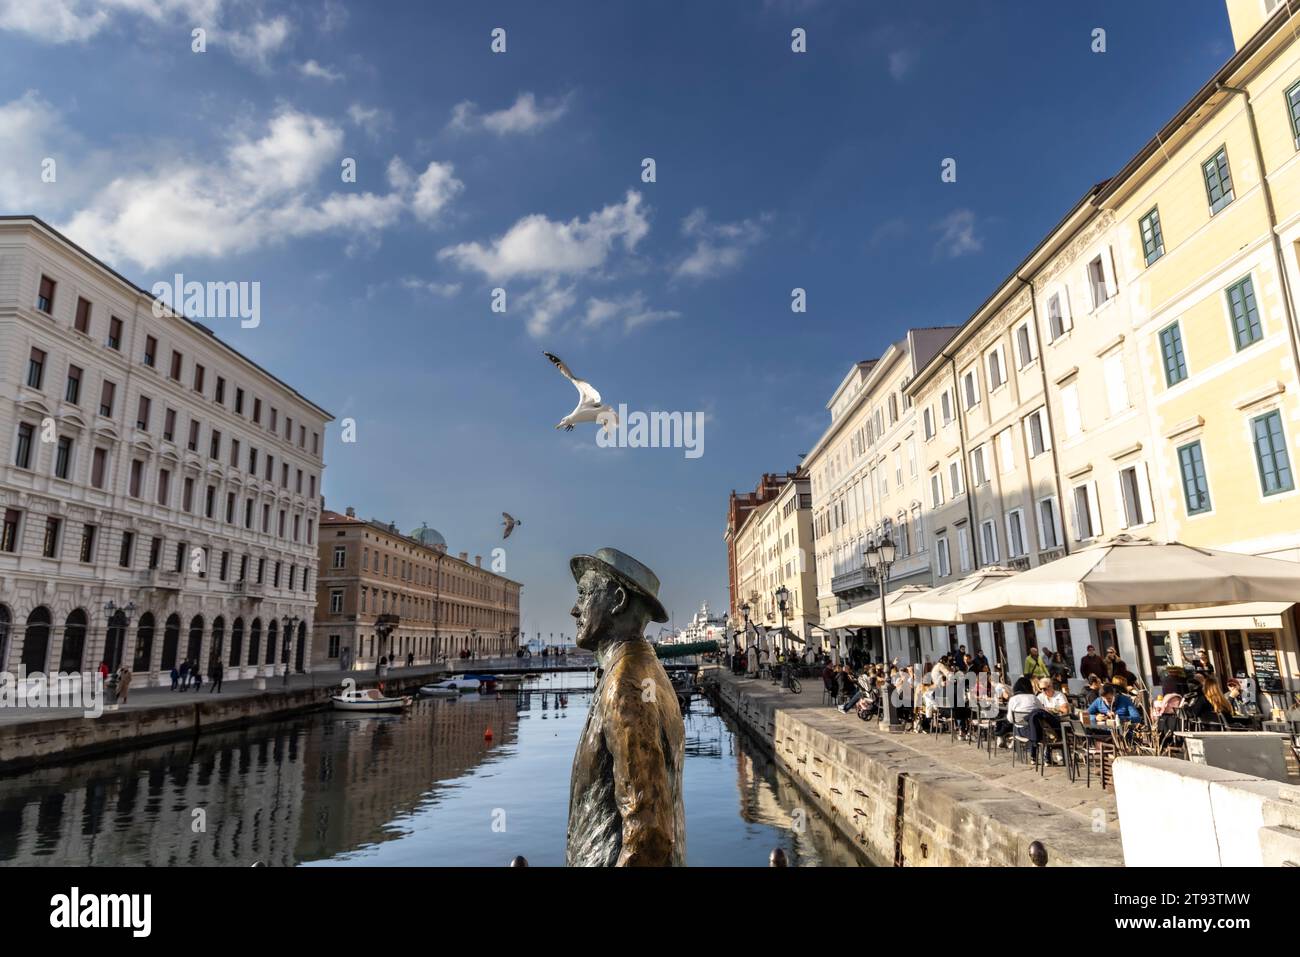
{"type": "Point", "coordinates": [640, 781]}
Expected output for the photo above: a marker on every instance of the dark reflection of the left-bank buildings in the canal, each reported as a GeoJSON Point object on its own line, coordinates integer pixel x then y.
{"type": "Point", "coordinates": [293, 793]}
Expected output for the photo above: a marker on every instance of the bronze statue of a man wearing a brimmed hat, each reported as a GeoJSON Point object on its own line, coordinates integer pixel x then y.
{"type": "Point", "coordinates": [626, 793]}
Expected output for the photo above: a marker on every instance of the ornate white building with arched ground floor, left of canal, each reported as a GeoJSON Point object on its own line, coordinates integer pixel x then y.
{"type": "Point", "coordinates": [161, 492]}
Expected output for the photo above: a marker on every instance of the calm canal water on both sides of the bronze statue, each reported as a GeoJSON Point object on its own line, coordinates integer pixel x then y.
{"type": "Point", "coordinates": [423, 789]}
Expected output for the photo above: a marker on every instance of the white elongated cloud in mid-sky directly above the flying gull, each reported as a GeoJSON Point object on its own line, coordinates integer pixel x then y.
{"type": "Point", "coordinates": [538, 246]}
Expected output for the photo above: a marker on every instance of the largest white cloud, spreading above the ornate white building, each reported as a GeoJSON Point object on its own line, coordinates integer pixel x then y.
{"type": "Point", "coordinates": [262, 190]}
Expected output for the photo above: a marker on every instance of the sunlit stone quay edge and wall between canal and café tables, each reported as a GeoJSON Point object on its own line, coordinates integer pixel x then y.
{"type": "Point", "coordinates": [925, 798]}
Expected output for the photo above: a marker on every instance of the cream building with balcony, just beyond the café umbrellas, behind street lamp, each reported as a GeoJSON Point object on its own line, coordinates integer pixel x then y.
{"type": "Point", "coordinates": [866, 482]}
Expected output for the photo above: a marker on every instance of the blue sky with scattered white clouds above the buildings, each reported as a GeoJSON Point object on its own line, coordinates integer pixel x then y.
{"type": "Point", "coordinates": [523, 171]}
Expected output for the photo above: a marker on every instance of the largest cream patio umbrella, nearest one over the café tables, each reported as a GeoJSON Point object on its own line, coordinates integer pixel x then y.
{"type": "Point", "coordinates": [1134, 577]}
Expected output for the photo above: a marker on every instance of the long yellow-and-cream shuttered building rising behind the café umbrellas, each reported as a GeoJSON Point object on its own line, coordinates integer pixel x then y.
{"type": "Point", "coordinates": [1139, 374]}
